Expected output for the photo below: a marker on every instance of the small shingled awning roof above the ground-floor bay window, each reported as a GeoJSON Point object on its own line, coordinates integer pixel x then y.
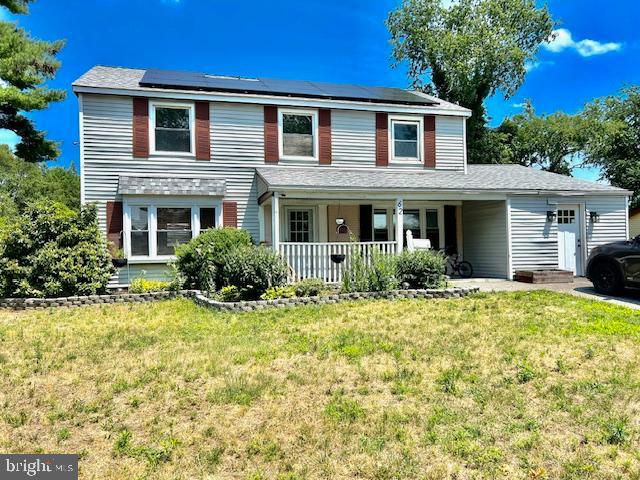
{"type": "Point", "coordinates": [170, 186]}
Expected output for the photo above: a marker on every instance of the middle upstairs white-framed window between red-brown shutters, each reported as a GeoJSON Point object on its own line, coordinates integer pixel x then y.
{"type": "Point", "coordinates": [298, 134]}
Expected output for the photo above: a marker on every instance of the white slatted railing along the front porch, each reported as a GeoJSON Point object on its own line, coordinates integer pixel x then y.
{"type": "Point", "coordinates": [313, 260]}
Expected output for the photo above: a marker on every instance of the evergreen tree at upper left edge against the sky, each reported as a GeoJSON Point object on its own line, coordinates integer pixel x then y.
{"type": "Point", "coordinates": [25, 65]}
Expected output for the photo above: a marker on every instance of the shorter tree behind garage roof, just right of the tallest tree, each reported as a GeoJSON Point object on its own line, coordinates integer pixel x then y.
{"type": "Point", "coordinates": [551, 142]}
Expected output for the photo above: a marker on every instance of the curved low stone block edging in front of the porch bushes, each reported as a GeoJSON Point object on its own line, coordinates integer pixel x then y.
{"type": "Point", "coordinates": [248, 306]}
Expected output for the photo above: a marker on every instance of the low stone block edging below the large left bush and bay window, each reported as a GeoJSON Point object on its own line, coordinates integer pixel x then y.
{"type": "Point", "coordinates": [76, 301]}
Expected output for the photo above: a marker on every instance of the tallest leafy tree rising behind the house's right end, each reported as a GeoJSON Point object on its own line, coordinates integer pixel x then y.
{"type": "Point", "coordinates": [470, 51]}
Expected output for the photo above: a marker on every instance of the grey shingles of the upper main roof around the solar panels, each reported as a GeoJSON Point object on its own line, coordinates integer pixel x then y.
{"type": "Point", "coordinates": [122, 78]}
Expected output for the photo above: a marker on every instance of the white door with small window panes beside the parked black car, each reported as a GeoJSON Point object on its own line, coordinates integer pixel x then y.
{"type": "Point", "coordinates": [569, 239]}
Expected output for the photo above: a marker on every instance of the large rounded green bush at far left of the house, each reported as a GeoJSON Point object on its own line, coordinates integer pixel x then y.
{"type": "Point", "coordinates": [53, 251]}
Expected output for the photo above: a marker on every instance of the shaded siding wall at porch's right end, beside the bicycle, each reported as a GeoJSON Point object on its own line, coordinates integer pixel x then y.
{"type": "Point", "coordinates": [484, 237]}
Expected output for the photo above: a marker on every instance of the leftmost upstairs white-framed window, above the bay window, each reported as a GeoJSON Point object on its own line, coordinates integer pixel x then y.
{"type": "Point", "coordinates": [172, 128]}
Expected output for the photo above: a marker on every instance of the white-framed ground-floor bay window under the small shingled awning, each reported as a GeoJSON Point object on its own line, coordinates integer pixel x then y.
{"type": "Point", "coordinates": [155, 230]}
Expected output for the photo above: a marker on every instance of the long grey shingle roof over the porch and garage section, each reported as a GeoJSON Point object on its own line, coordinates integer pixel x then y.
{"type": "Point", "coordinates": [493, 178]}
